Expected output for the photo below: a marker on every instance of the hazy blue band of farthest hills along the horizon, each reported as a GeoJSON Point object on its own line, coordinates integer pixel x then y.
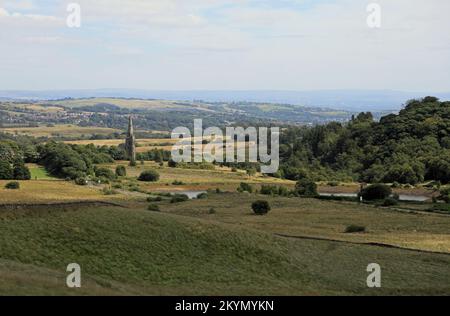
{"type": "Point", "coordinates": [350, 100]}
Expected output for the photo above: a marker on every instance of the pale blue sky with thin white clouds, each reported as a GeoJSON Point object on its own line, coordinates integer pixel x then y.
{"type": "Point", "coordinates": [225, 45]}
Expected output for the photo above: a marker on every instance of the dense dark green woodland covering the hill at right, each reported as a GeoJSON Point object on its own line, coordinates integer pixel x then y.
{"type": "Point", "coordinates": [409, 147]}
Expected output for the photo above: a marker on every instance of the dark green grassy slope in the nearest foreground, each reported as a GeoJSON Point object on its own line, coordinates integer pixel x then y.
{"type": "Point", "coordinates": [124, 251]}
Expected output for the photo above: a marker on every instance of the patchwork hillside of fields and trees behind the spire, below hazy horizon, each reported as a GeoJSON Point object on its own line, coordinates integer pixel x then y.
{"type": "Point", "coordinates": [159, 115]}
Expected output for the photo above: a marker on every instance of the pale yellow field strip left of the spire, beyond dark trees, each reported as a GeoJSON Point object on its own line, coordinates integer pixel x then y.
{"type": "Point", "coordinates": [71, 131]}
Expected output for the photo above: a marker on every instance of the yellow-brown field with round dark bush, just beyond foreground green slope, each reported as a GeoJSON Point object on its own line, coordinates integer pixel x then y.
{"type": "Point", "coordinates": [299, 217]}
